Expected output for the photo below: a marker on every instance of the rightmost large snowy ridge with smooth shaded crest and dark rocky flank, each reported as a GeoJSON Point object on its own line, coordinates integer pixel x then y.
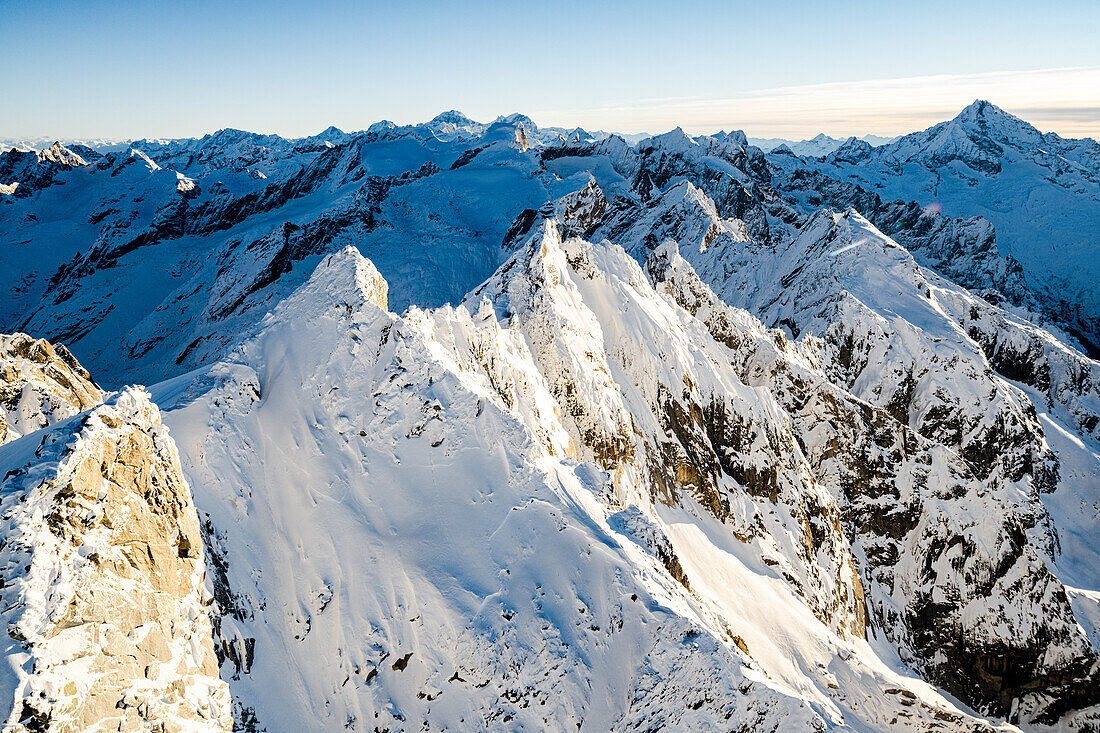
{"type": "Point", "coordinates": [890, 336]}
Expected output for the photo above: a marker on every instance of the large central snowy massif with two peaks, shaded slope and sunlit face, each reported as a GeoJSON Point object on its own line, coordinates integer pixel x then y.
{"type": "Point", "coordinates": [497, 556]}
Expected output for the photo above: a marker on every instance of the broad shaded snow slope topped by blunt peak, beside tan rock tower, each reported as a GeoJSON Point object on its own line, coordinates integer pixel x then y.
{"type": "Point", "coordinates": [493, 589]}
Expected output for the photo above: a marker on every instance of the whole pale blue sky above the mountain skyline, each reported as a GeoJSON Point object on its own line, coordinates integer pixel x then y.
{"type": "Point", "coordinates": [786, 69]}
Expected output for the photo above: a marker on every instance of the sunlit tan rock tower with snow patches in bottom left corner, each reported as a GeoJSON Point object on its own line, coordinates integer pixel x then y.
{"type": "Point", "coordinates": [103, 578]}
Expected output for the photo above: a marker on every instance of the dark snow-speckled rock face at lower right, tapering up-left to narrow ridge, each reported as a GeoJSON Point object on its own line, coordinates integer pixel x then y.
{"type": "Point", "coordinates": [950, 554]}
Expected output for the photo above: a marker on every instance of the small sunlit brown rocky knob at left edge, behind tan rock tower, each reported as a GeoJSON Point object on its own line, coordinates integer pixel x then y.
{"type": "Point", "coordinates": [40, 385]}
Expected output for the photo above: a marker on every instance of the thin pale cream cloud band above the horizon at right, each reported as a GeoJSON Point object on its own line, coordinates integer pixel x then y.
{"type": "Point", "coordinates": [1065, 101]}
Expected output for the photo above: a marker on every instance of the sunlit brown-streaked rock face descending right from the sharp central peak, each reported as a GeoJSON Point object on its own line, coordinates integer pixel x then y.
{"type": "Point", "coordinates": [678, 426]}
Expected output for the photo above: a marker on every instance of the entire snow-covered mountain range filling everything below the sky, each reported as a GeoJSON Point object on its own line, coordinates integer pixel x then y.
{"type": "Point", "coordinates": [465, 426]}
